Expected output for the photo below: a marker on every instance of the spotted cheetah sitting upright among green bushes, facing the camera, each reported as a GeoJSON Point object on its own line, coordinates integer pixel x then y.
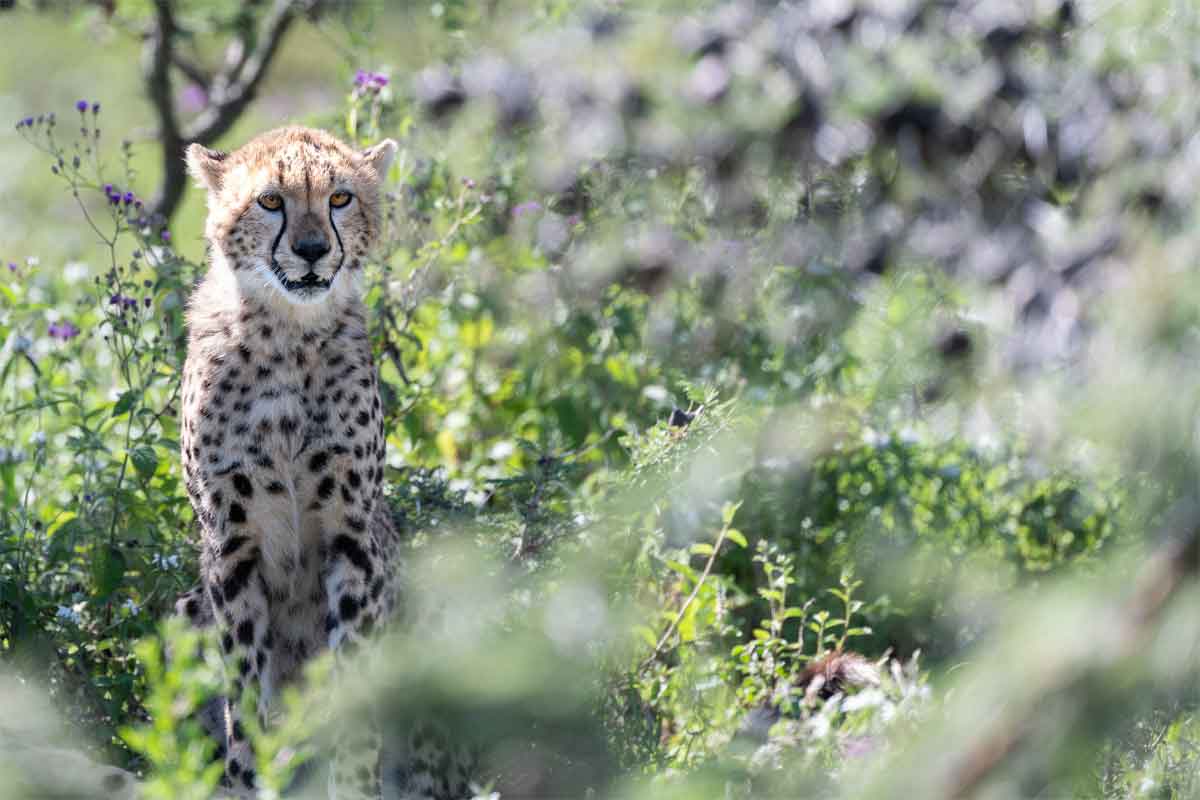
{"type": "Point", "coordinates": [283, 428]}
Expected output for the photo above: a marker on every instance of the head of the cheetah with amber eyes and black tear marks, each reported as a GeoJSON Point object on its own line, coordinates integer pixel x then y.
{"type": "Point", "coordinates": [293, 213]}
